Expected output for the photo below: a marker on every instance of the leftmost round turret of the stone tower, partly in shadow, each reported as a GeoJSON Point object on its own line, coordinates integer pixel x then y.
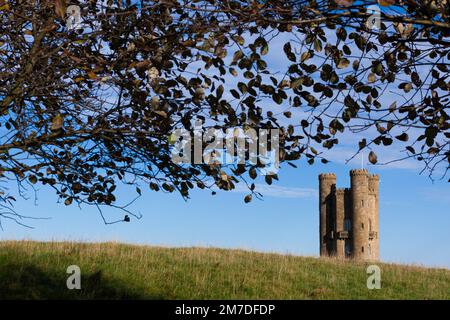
{"type": "Point", "coordinates": [327, 182]}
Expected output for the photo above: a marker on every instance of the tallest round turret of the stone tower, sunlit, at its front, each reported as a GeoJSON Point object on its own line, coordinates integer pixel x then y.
{"type": "Point", "coordinates": [360, 213]}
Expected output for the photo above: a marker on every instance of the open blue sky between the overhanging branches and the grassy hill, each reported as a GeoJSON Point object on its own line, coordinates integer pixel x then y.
{"type": "Point", "coordinates": [414, 210]}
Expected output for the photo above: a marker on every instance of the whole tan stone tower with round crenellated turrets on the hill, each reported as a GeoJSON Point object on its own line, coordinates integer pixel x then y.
{"type": "Point", "coordinates": [349, 217]}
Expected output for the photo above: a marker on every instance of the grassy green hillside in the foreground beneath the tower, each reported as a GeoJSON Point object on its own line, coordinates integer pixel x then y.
{"type": "Point", "coordinates": [35, 270]}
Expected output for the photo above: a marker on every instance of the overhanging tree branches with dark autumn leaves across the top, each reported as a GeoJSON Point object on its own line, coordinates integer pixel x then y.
{"type": "Point", "coordinates": [84, 108]}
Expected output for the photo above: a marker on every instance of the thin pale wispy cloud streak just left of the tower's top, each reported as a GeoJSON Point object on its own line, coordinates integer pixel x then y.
{"type": "Point", "coordinates": [279, 191]}
